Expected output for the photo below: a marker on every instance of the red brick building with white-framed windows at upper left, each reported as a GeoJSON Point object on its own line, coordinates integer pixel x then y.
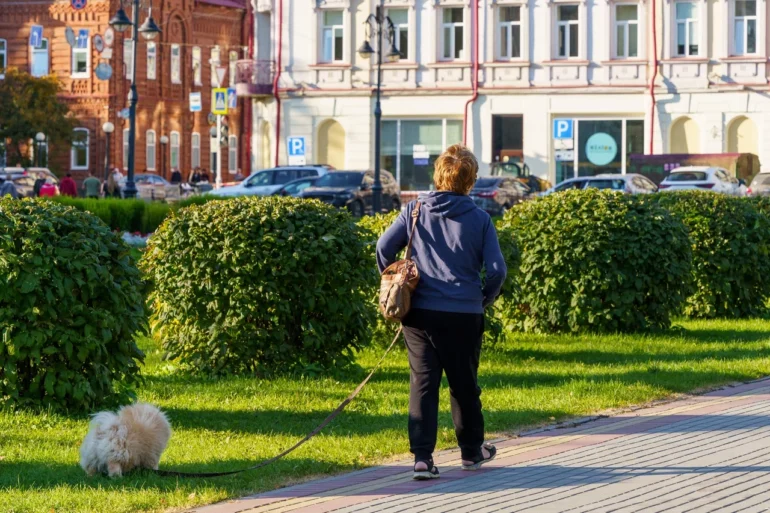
{"type": "Point", "coordinates": [195, 33]}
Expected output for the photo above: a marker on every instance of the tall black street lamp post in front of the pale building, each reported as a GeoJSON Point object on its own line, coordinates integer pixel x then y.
{"type": "Point", "coordinates": [376, 25]}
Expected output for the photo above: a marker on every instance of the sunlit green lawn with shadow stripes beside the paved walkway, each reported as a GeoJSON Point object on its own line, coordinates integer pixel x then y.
{"type": "Point", "coordinates": [229, 423]}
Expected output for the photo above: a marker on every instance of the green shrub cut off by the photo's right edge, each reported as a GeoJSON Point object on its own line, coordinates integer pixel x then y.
{"type": "Point", "coordinates": [731, 250]}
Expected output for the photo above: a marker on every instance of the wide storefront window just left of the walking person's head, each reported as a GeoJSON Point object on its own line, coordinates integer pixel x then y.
{"type": "Point", "coordinates": [428, 138]}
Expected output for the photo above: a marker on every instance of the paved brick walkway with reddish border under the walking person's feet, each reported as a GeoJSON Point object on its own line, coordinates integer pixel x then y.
{"type": "Point", "coordinates": [704, 453]}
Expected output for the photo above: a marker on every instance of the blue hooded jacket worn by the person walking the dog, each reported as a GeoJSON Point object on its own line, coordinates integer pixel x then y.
{"type": "Point", "coordinates": [455, 239]}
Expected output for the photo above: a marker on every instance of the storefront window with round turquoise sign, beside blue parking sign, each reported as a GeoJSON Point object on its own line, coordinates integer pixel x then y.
{"type": "Point", "coordinates": [599, 147]}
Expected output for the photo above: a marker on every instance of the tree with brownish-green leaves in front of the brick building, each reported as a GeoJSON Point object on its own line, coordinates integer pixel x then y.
{"type": "Point", "coordinates": [29, 105]}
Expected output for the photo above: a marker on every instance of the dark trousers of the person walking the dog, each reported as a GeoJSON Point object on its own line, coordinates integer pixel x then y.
{"type": "Point", "coordinates": [444, 342]}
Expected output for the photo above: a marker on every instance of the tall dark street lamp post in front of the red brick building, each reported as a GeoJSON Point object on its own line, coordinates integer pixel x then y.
{"type": "Point", "coordinates": [149, 30]}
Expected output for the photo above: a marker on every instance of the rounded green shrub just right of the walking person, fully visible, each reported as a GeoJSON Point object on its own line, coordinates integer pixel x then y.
{"type": "Point", "coordinates": [597, 261]}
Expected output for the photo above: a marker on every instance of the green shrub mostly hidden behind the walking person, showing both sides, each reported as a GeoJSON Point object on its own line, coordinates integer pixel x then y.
{"type": "Point", "coordinates": [372, 229]}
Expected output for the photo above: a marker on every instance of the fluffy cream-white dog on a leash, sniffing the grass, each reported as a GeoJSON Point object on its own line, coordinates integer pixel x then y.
{"type": "Point", "coordinates": [135, 437]}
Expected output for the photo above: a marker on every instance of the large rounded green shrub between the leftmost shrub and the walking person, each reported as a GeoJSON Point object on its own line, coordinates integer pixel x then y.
{"type": "Point", "coordinates": [259, 284]}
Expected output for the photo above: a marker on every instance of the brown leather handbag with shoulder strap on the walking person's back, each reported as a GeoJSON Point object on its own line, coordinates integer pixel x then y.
{"type": "Point", "coordinates": [399, 280]}
